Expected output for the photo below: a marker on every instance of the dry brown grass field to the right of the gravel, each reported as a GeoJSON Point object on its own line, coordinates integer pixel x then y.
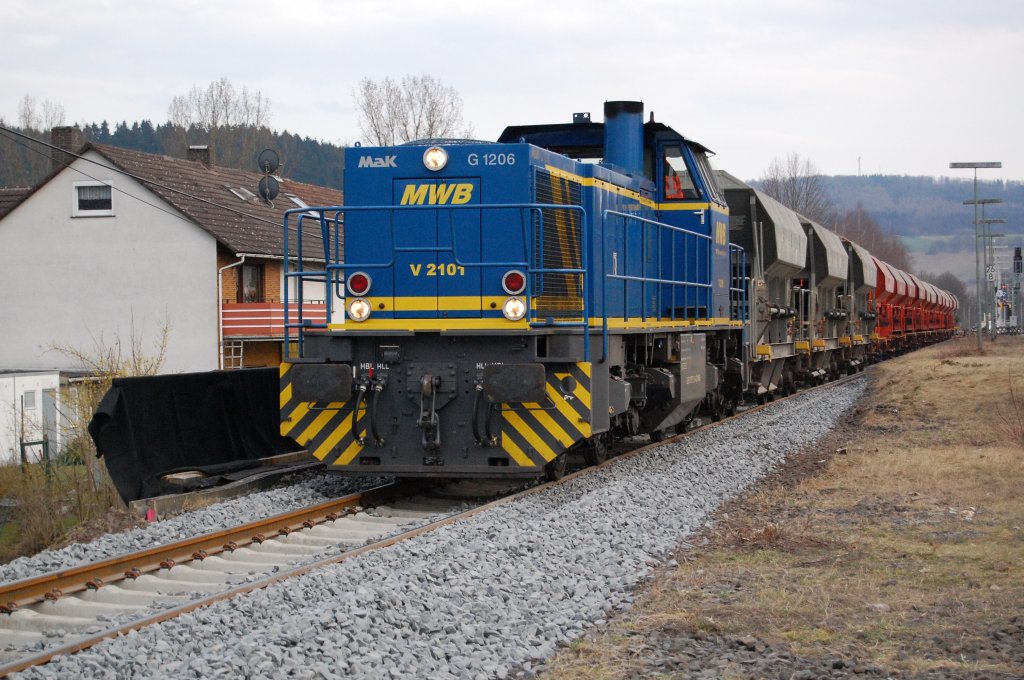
{"type": "Point", "coordinates": [905, 551]}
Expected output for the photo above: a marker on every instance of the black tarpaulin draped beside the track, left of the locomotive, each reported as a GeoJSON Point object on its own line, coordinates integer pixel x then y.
{"type": "Point", "coordinates": [215, 422]}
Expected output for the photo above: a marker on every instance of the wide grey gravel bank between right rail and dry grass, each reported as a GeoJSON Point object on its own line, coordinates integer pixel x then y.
{"type": "Point", "coordinates": [492, 597]}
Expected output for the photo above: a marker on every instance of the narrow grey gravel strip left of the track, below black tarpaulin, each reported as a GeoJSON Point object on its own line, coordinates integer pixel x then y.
{"type": "Point", "coordinates": [307, 490]}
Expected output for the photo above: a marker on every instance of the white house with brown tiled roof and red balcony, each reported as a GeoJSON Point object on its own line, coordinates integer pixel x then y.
{"type": "Point", "coordinates": [115, 246]}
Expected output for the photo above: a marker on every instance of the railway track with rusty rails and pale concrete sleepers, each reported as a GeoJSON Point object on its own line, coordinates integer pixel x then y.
{"type": "Point", "coordinates": [72, 610]}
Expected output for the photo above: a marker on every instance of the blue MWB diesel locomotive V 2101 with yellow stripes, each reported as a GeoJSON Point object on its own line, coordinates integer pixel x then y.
{"type": "Point", "coordinates": [495, 307]}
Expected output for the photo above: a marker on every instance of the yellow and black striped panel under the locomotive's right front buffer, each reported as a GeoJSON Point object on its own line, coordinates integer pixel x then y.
{"type": "Point", "coordinates": [534, 435]}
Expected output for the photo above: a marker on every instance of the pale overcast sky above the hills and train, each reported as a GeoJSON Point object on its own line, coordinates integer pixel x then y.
{"type": "Point", "coordinates": [899, 87]}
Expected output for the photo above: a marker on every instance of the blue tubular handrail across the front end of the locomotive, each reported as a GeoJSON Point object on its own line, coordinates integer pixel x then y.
{"type": "Point", "coordinates": [331, 220]}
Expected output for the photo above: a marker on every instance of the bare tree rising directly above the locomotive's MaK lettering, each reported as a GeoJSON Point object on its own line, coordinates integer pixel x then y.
{"type": "Point", "coordinates": [417, 108]}
